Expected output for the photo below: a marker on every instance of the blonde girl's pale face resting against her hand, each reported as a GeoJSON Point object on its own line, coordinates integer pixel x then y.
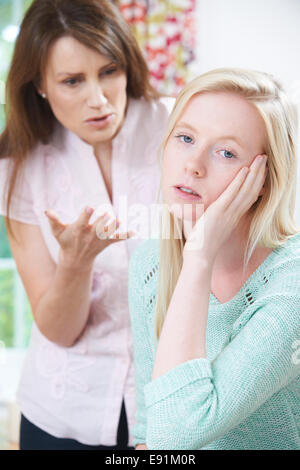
{"type": "Point", "coordinates": [217, 134]}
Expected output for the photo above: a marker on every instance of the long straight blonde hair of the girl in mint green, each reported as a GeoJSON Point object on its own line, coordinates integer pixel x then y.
{"type": "Point", "coordinates": [273, 213]}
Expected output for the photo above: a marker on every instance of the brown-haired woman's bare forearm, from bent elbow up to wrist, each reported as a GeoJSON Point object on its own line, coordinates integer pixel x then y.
{"type": "Point", "coordinates": [62, 312]}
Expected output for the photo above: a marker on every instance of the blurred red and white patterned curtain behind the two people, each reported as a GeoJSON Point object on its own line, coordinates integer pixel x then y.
{"type": "Point", "coordinates": [165, 31]}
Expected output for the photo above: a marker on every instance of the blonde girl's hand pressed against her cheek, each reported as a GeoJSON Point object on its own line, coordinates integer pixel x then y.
{"type": "Point", "coordinates": [222, 216]}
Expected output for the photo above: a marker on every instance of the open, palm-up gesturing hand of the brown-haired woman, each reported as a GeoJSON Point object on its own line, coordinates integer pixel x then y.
{"type": "Point", "coordinates": [81, 242]}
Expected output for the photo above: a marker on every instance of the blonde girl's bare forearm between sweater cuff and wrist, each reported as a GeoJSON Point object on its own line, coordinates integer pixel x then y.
{"type": "Point", "coordinates": [183, 335]}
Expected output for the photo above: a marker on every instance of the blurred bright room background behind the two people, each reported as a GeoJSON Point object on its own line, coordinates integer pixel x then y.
{"type": "Point", "coordinates": [180, 39]}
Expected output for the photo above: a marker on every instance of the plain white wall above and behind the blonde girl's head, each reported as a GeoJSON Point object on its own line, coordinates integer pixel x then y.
{"type": "Point", "coordinates": [258, 34]}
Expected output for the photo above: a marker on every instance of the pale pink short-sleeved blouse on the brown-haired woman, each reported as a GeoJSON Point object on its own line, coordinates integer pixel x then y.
{"type": "Point", "coordinates": [77, 392]}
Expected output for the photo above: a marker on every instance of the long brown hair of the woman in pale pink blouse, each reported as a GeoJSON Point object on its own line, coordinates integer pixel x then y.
{"type": "Point", "coordinates": [97, 24]}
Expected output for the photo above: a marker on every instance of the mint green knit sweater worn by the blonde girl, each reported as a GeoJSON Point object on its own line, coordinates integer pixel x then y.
{"type": "Point", "coordinates": [246, 393]}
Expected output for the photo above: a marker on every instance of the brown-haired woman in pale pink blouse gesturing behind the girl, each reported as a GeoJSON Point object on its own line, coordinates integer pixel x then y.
{"type": "Point", "coordinates": [82, 131]}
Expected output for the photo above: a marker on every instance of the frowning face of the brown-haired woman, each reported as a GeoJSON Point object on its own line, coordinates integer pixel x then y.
{"type": "Point", "coordinates": [86, 91]}
